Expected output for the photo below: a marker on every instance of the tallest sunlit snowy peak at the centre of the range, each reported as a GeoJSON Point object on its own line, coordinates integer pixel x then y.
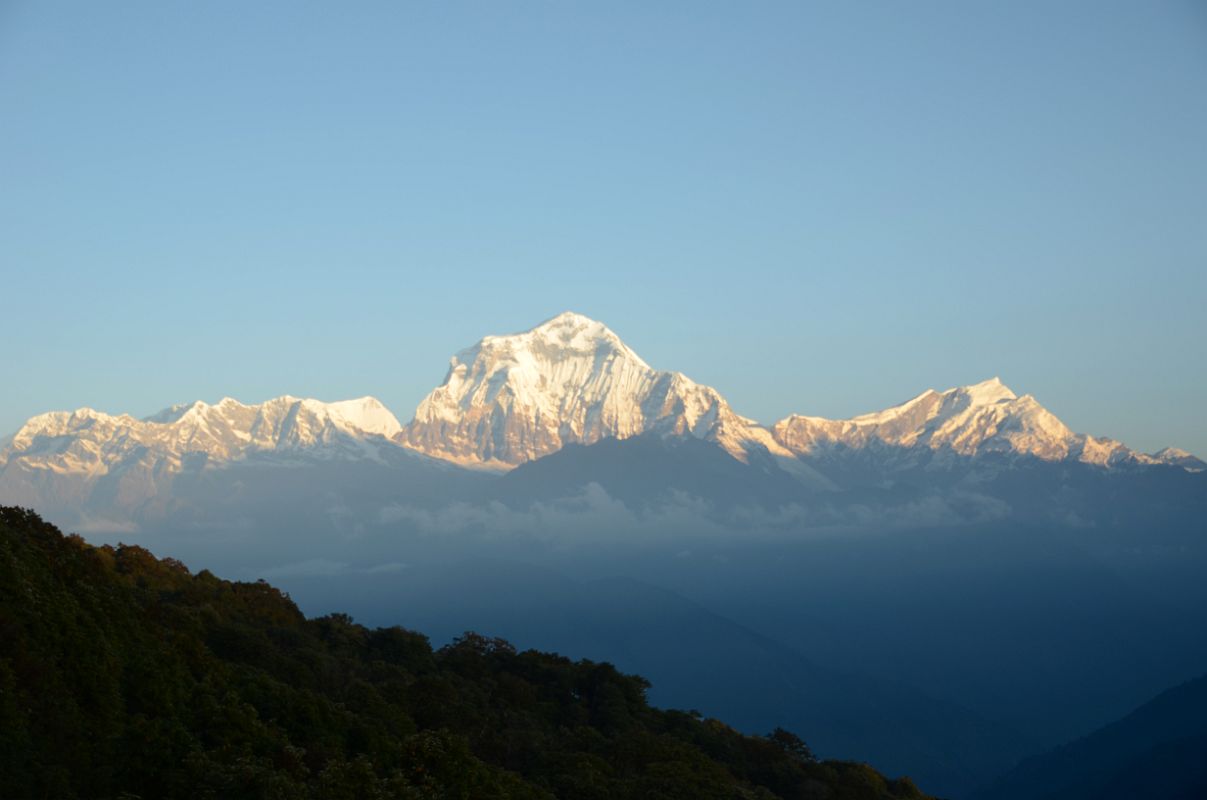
{"type": "Point", "coordinates": [514, 399]}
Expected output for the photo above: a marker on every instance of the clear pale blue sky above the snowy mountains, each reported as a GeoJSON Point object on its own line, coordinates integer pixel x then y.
{"type": "Point", "coordinates": [814, 207]}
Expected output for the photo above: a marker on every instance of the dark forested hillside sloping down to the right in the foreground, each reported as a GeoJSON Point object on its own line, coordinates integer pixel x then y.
{"type": "Point", "coordinates": [126, 676]}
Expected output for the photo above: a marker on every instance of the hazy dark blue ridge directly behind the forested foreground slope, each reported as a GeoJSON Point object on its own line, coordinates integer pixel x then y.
{"type": "Point", "coordinates": [696, 659]}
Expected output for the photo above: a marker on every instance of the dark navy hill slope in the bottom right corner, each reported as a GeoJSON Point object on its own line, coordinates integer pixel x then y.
{"type": "Point", "coordinates": [1158, 751]}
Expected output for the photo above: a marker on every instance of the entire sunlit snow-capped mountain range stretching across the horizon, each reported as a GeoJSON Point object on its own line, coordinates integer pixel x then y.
{"type": "Point", "coordinates": [515, 399]}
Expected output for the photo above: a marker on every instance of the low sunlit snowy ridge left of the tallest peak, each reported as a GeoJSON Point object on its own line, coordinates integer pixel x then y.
{"type": "Point", "coordinates": [89, 442]}
